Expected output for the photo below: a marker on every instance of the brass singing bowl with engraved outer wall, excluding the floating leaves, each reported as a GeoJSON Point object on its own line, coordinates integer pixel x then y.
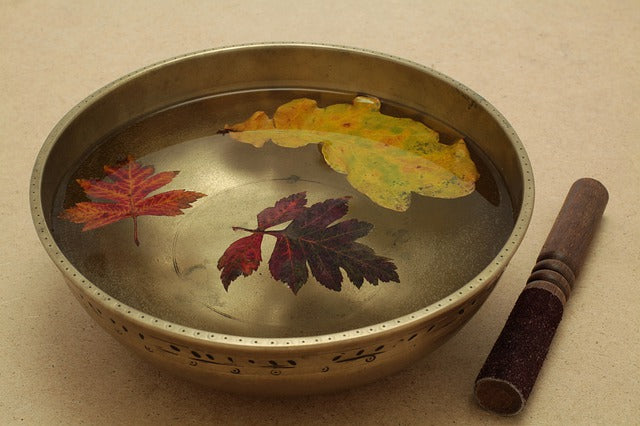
{"type": "Point", "coordinates": [258, 337]}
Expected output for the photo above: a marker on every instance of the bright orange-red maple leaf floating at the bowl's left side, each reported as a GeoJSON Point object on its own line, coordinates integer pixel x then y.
{"type": "Point", "coordinates": [124, 193]}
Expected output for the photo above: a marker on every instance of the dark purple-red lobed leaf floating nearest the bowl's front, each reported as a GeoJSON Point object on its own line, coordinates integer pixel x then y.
{"type": "Point", "coordinates": [309, 242]}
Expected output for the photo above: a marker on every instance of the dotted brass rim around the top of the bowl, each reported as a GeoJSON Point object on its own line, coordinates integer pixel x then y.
{"type": "Point", "coordinates": [483, 281]}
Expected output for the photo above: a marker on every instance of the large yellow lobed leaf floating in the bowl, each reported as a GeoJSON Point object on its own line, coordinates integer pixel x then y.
{"type": "Point", "coordinates": [386, 158]}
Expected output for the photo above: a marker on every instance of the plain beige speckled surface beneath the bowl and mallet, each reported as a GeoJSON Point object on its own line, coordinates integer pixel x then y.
{"type": "Point", "coordinates": [565, 74]}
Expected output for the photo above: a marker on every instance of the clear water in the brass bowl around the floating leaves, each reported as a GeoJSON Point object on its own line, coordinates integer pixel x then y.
{"type": "Point", "coordinates": [438, 245]}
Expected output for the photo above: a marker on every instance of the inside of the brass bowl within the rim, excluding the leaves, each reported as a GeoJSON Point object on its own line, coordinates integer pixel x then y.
{"type": "Point", "coordinates": [168, 116]}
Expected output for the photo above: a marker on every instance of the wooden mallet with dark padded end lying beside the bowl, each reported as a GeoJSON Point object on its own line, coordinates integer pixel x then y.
{"type": "Point", "coordinates": [510, 371]}
